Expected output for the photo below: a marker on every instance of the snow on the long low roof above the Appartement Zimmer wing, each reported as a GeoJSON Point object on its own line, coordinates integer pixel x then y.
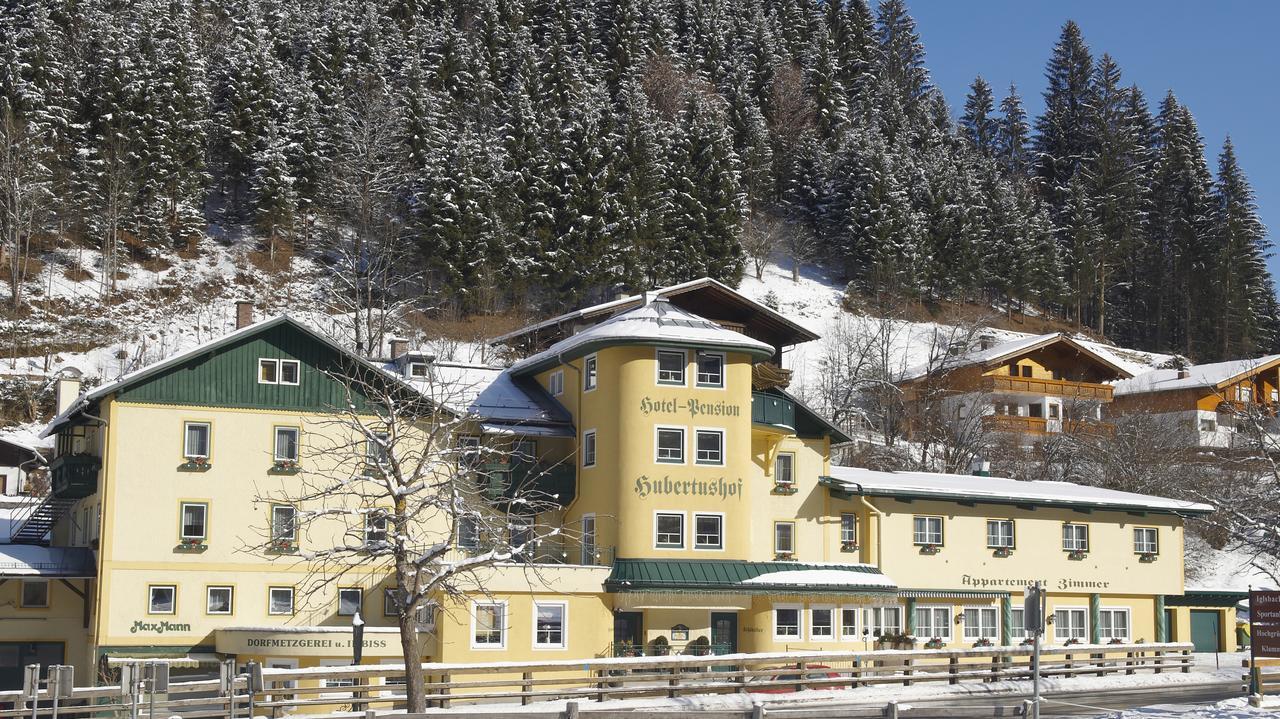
{"type": "Point", "coordinates": [936, 486]}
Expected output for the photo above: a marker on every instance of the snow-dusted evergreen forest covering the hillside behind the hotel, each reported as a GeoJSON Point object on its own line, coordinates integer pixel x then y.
{"type": "Point", "coordinates": [486, 155]}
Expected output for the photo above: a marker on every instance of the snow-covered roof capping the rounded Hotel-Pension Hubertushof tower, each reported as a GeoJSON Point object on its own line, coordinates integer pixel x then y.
{"type": "Point", "coordinates": [656, 323]}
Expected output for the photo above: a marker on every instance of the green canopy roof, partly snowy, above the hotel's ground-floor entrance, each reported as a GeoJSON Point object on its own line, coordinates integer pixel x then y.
{"type": "Point", "coordinates": [732, 575]}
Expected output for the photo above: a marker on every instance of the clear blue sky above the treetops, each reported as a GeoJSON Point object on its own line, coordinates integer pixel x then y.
{"type": "Point", "coordinates": [1222, 58]}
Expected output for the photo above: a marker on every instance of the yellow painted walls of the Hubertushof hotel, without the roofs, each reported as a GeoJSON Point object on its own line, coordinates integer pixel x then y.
{"type": "Point", "coordinates": [682, 478]}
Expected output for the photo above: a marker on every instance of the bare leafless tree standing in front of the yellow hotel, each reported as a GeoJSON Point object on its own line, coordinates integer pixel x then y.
{"type": "Point", "coordinates": [390, 491]}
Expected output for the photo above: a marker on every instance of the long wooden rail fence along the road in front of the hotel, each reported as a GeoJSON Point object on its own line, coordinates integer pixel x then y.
{"type": "Point", "coordinates": [368, 688]}
